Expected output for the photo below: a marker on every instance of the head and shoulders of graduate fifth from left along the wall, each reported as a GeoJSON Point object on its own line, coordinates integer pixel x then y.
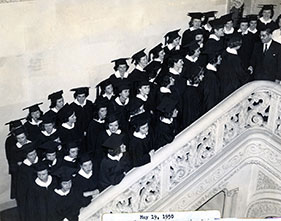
{"type": "Point", "coordinates": [107, 93]}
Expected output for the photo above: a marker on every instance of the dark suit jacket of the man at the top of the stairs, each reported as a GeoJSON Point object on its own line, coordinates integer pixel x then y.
{"type": "Point", "coordinates": [266, 66]}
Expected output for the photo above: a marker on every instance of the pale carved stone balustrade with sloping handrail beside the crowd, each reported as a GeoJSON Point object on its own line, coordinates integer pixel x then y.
{"type": "Point", "coordinates": [131, 196]}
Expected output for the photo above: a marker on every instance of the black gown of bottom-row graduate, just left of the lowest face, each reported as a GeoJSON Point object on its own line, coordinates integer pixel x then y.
{"type": "Point", "coordinates": [37, 201]}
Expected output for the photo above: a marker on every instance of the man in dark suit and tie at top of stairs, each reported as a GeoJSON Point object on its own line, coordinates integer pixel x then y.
{"type": "Point", "coordinates": [266, 58]}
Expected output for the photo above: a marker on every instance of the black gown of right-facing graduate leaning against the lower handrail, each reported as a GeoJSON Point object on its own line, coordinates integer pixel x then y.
{"type": "Point", "coordinates": [112, 171]}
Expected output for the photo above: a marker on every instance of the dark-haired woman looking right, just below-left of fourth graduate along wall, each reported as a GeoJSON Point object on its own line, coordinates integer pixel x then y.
{"type": "Point", "coordinates": [68, 130]}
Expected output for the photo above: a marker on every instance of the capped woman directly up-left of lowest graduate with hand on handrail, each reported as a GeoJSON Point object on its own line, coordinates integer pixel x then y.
{"type": "Point", "coordinates": [70, 159]}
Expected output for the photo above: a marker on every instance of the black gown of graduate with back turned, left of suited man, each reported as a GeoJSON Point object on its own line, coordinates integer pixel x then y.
{"type": "Point", "coordinates": [231, 74]}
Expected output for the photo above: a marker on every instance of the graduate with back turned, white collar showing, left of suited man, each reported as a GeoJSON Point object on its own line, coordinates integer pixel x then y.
{"type": "Point", "coordinates": [231, 73]}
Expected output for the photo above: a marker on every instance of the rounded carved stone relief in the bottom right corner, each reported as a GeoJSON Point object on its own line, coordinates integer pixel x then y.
{"type": "Point", "coordinates": [264, 208]}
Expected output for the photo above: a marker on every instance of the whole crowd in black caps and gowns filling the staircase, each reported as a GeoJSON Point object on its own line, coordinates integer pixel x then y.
{"type": "Point", "coordinates": [62, 159]}
